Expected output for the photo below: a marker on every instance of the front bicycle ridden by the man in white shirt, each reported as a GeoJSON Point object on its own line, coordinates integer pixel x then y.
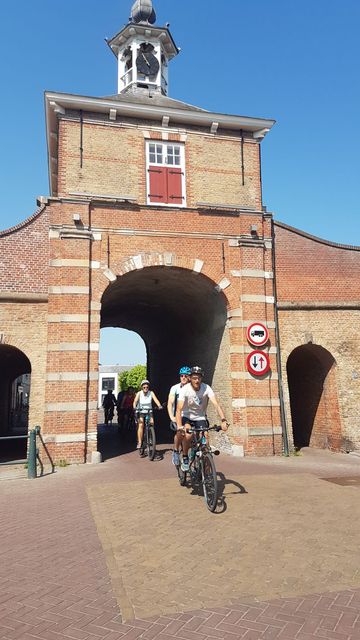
{"type": "Point", "coordinates": [202, 466]}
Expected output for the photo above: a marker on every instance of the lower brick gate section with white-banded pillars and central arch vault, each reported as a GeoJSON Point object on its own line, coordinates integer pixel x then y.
{"type": "Point", "coordinates": [131, 242]}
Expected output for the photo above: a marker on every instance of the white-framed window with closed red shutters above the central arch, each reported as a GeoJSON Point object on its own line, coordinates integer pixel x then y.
{"type": "Point", "coordinates": [166, 175]}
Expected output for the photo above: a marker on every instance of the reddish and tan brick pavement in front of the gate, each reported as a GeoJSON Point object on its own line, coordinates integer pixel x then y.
{"type": "Point", "coordinates": [120, 550]}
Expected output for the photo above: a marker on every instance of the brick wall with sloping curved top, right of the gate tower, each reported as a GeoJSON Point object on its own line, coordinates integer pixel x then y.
{"type": "Point", "coordinates": [318, 296]}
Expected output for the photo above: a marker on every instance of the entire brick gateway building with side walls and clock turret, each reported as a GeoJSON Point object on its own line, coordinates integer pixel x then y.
{"type": "Point", "coordinates": [156, 223]}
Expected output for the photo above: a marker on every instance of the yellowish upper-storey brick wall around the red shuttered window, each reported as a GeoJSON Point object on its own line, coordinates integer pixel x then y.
{"type": "Point", "coordinates": [114, 163]}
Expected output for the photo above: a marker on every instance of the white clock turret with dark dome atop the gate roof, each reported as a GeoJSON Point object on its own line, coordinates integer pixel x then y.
{"type": "Point", "coordinates": [143, 51]}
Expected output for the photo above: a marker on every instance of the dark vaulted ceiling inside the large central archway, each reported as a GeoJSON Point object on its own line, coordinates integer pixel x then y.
{"type": "Point", "coordinates": [180, 315]}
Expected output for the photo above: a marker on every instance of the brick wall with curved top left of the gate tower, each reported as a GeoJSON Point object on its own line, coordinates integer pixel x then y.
{"type": "Point", "coordinates": [24, 256]}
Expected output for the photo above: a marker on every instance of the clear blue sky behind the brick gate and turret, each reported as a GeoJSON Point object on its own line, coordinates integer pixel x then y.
{"type": "Point", "coordinates": [297, 62]}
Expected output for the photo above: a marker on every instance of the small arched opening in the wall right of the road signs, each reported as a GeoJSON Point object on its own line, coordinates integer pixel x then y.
{"type": "Point", "coordinates": [311, 372]}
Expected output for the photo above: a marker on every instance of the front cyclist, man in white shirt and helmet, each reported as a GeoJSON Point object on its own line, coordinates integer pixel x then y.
{"type": "Point", "coordinates": [191, 410]}
